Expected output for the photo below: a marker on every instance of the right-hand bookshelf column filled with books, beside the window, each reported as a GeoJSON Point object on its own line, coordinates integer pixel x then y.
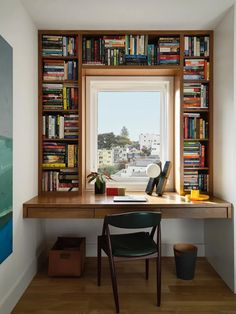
{"type": "Point", "coordinates": [197, 112]}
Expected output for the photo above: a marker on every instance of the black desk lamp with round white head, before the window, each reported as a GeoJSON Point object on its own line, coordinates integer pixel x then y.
{"type": "Point", "coordinates": [157, 177]}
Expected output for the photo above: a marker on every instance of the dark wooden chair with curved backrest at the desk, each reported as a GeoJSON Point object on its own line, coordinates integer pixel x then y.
{"type": "Point", "coordinates": [130, 246]}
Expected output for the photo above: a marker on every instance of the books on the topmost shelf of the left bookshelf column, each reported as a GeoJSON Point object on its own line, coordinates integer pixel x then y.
{"type": "Point", "coordinates": [62, 46]}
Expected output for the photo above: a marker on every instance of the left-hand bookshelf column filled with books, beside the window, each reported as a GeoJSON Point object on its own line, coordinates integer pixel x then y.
{"type": "Point", "coordinates": [59, 112]}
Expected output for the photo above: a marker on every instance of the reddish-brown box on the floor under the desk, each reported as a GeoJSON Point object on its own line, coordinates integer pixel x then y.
{"type": "Point", "coordinates": [66, 258]}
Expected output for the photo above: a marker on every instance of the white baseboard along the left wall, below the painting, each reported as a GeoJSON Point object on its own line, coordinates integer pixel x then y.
{"type": "Point", "coordinates": [8, 303]}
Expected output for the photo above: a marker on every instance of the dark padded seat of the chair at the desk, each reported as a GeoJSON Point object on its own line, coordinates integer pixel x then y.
{"type": "Point", "coordinates": [131, 244]}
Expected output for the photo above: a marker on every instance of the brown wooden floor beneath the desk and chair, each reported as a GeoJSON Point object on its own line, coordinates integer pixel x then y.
{"type": "Point", "coordinates": [207, 293]}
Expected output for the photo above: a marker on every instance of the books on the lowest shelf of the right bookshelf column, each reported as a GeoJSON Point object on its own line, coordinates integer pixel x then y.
{"type": "Point", "coordinates": [196, 180]}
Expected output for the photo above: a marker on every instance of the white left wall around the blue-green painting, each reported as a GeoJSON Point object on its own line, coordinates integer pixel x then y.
{"type": "Point", "coordinates": [18, 269]}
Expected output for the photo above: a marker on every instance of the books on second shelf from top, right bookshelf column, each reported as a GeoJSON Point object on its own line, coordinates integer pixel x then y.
{"type": "Point", "coordinates": [196, 69]}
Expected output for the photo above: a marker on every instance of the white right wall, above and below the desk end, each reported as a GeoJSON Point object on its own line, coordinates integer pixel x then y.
{"type": "Point", "coordinates": [219, 234]}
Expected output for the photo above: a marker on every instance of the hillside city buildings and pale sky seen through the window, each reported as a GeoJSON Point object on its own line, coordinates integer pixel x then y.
{"type": "Point", "coordinates": [128, 134]}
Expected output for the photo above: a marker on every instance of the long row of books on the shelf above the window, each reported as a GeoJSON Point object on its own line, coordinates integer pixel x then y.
{"type": "Point", "coordinates": [130, 49]}
